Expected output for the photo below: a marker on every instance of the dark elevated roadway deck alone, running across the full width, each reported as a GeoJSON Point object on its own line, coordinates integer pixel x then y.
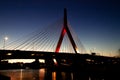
{"type": "Point", "coordinates": [73, 58]}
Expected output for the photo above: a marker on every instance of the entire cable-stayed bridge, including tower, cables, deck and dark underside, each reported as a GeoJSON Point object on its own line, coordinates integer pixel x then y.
{"type": "Point", "coordinates": [57, 44]}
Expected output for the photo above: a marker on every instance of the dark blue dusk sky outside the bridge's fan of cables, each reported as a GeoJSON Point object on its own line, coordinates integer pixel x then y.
{"type": "Point", "coordinates": [96, 22]}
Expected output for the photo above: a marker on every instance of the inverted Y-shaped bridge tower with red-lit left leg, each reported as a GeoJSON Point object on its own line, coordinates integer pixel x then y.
{"type": "Point", "coordinates": [65, 30]}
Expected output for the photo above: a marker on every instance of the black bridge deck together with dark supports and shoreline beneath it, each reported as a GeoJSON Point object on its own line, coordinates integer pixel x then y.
{"type": "Point", "coordinates": [63, 59]}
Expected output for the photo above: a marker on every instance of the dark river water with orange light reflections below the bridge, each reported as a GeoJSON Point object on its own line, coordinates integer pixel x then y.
{"type": "Point", "coordinates": [48, 74]}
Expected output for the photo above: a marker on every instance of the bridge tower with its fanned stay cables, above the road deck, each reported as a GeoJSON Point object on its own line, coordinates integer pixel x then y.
{"type": "Point", "coordinates": [58, 37]}
